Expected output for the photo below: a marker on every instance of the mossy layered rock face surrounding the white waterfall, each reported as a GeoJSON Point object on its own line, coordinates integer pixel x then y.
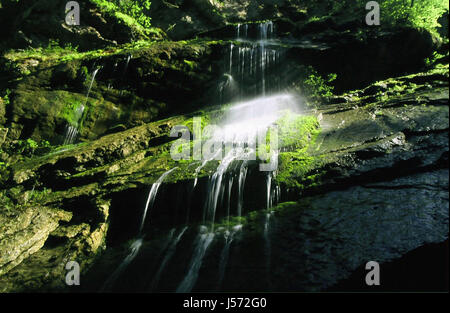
{"type": "Point", "coordinates": [366, 180]}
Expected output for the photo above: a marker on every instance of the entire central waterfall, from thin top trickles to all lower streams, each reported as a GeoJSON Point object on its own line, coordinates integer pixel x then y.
{"type": "Point", "coordinates": [251, 69]}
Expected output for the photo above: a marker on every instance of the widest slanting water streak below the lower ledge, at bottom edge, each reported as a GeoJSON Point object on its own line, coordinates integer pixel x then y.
{"type": "Point", "coordinates": [203, 241]}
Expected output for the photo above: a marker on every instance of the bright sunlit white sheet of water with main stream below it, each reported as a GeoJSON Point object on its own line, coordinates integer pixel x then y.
{"type": "Point", "coordinates": [239, 126]}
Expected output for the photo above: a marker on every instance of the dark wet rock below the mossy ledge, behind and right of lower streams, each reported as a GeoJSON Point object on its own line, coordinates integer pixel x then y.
{"type": "Point", "coordinates": [313, 243]}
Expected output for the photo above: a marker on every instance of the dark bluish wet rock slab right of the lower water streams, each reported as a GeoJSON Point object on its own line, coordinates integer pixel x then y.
{"type": "Point", "coordinates": [342, 230]}
